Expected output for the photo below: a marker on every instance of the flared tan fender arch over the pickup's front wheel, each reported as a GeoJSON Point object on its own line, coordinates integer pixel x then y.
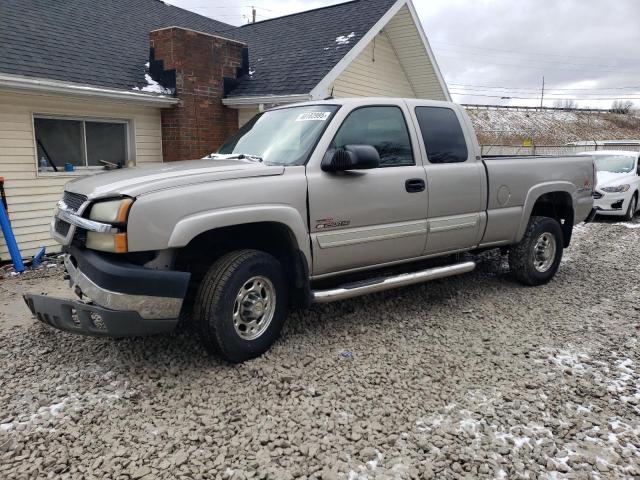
{"type": "Point", "coordinates": [190, 227]}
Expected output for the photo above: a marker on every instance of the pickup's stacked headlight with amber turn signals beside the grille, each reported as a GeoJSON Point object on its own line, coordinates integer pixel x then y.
{"type": "Point", "coordinates": [114, 212]}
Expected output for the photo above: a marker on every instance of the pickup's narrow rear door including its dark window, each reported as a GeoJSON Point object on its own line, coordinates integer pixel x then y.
{"type": "Point", "coordinates": [456, 180]}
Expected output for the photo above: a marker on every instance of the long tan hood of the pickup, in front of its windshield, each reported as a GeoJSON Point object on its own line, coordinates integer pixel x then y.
{"type": "Point", "coordinates": [140, 180]}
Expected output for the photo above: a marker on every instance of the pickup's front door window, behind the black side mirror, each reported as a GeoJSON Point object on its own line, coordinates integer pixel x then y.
{"type": "Point", "coordinates": [382, 127]}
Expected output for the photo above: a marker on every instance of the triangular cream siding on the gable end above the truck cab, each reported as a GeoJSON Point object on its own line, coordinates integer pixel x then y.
{"type": "Point", "coordinates": [376, 72]}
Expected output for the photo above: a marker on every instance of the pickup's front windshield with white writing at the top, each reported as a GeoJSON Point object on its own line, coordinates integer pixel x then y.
{"type": "Point", "coordinates": [281, 137]}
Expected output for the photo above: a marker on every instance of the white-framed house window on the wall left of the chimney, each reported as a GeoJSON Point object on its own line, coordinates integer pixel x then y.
{"type": "Point", "coordinates": [80, 142]}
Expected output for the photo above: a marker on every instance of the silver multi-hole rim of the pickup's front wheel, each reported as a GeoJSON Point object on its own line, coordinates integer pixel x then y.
{"type": "Point", "coordinates": [254, 307]}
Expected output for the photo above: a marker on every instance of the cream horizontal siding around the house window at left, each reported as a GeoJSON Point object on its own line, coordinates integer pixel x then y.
{"type": "Point", "coordinates": [32, 197]}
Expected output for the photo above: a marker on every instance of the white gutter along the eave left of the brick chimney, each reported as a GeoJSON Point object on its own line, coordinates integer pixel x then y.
{"type": "Point", "coordinates": [41, 85]}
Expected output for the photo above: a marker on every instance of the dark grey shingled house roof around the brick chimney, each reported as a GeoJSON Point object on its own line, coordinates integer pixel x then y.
{"type": "Point", "coordinates": [107, 43]}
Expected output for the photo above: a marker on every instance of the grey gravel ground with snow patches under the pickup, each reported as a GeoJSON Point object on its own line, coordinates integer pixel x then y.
{"type": "Point", "coordinates": [474, 376]}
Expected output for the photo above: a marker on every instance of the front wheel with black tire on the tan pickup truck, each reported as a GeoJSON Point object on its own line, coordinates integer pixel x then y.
{"type": "Point", "coordinates": [218, 299]}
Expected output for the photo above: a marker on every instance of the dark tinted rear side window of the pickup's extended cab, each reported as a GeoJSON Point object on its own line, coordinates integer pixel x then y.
{"type": "Point", "coordinates": [442, 135]}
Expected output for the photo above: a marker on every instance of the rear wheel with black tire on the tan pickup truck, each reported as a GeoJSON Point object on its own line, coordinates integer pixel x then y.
{"type": "Point", "coordinates": [525, 265]}
